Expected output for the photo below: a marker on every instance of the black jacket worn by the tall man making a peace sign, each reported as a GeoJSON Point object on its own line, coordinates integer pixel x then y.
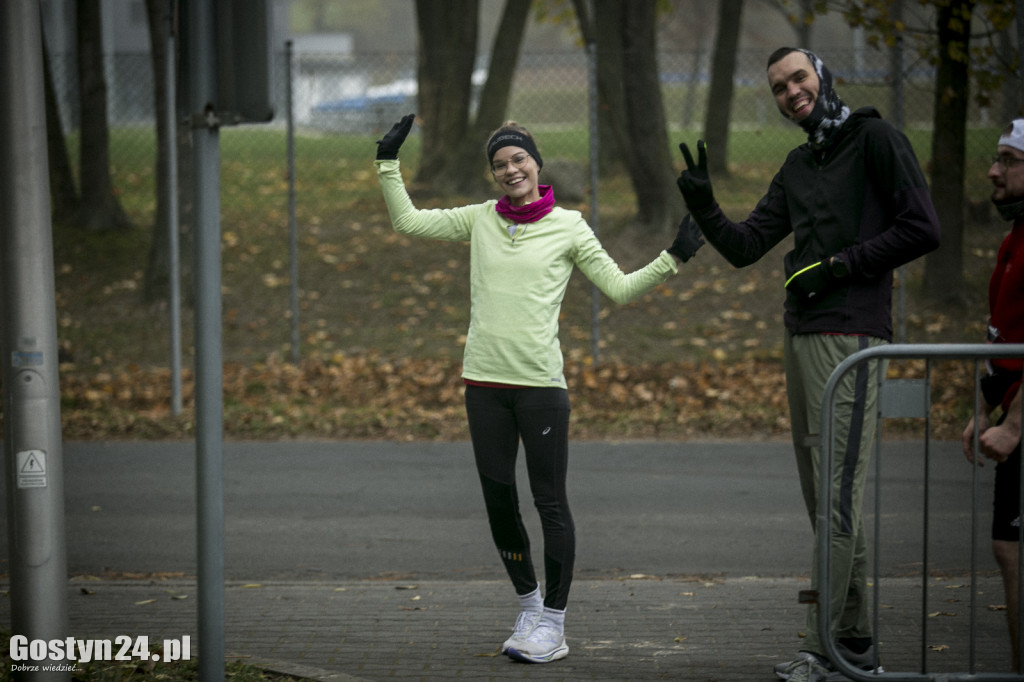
{"type": "Point", "coordinates": [864, 198]}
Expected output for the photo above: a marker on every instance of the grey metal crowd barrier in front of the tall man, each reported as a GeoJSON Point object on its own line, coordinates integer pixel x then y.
{"type": "Point", "coordinates": [909, 399]}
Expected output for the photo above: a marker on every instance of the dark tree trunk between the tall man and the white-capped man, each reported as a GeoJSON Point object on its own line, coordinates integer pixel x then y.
{"type": "Point", "coordinates": [945, 268]}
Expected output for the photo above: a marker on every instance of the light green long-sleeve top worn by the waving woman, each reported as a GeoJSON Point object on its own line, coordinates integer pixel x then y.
{"type": "Point", "coordinates": [519, 280]}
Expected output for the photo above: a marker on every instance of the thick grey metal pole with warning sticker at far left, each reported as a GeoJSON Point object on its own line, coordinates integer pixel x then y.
{"type": "Point", "coordinates": [33, 449]}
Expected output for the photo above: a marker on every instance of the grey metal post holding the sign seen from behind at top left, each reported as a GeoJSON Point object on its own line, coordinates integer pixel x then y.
{"type": "Point", "coordinates": [209, 374]}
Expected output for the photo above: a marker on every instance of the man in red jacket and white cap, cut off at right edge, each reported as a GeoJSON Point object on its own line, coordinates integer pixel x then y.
{"type": "Point", "coordinates": [1001, 387]}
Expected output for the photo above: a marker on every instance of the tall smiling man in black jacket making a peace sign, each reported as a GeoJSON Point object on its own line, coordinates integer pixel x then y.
{"type": "Point", "coordinates": [859, 206]}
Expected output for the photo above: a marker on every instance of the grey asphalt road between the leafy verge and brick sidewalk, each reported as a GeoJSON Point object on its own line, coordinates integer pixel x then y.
{"type": "Point", "coordinates": [315, 510]}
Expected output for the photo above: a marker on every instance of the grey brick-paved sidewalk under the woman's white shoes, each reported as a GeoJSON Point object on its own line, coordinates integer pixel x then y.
{"type": "Point", "coordinates": [633, 629]}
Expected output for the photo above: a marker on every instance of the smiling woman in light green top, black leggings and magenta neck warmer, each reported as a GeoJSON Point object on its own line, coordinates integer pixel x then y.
{"type": "Point", "coordinates": [523, 251]}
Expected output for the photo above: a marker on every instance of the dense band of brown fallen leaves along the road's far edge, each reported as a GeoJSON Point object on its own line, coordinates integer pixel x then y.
{"type": "Point", "coordinates": [372, 398]}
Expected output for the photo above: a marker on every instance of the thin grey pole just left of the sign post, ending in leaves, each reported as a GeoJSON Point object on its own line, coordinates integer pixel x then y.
{"type": "Point", "coordinates": [175, 267]}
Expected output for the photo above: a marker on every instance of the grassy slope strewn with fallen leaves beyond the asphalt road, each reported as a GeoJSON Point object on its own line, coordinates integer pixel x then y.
{"type": "Point", "coordinates": [383, 319]}
